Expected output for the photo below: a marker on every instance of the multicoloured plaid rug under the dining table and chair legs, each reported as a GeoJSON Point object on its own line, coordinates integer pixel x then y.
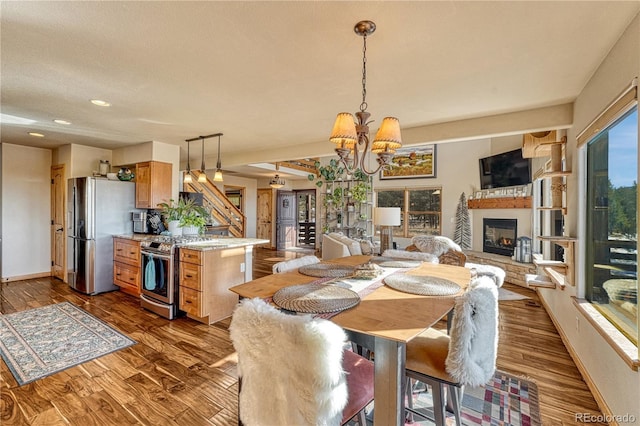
{"type": "Point", "coordinates": [506, 400]}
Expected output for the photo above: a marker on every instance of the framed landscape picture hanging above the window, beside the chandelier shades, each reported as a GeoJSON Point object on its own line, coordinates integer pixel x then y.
{"type": "Point", "coordinates": [411, 163]}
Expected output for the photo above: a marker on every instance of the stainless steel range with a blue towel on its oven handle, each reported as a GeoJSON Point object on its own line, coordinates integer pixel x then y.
{"type": "Point", "coordinates": [160, 278]}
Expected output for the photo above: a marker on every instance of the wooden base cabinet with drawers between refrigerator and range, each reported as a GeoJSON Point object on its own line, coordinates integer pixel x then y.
{"type": "Point", "coordinates": [126, 265]}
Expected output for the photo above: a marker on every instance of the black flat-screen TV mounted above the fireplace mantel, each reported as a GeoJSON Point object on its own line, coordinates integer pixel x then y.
{"type": "Point", "coordinates": [506, 169]}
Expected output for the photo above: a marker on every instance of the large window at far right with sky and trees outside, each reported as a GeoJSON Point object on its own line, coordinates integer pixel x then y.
{"type": "Point", "coordinates": [611, 226]}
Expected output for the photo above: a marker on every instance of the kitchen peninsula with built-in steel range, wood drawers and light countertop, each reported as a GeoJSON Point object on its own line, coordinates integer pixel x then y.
{"type": "Point", "coordinates": [195, 276]}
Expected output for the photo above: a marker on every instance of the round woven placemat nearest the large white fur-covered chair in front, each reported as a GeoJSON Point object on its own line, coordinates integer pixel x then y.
{"type": "Point", "coordinates": [315, 298]}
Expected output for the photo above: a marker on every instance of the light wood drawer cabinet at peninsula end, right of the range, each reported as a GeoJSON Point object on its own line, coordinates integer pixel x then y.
{"type": "Point", "coordinates": [205, 278]}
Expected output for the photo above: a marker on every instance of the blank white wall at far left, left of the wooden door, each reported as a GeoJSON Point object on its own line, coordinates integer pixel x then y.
{"type": "Point", "coordinates": [26, 211]}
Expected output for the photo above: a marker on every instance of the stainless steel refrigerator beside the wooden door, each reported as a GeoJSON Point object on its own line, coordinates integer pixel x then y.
{"type": "Point", "coordinates": [97, 209]}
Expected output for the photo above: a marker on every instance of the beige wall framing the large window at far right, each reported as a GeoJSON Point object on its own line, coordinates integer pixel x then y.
{"type": "Point", "coordinates": [618, 385]}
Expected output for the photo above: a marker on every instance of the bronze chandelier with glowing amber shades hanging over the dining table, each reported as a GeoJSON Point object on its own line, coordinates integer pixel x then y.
{"type": "Point", "coordinates": [352, 136]}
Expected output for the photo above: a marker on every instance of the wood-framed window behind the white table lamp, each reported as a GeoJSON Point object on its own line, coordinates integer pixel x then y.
{"type": "Point", "coordinates": [421, 210]}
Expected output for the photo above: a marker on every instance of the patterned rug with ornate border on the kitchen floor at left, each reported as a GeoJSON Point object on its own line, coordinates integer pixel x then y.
{"type": "Point", "coordinates": [42, 341]}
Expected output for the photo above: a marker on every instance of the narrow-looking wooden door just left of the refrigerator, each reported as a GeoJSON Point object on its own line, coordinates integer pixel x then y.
{"type": "Point", "coordinates": [58, 238]}
